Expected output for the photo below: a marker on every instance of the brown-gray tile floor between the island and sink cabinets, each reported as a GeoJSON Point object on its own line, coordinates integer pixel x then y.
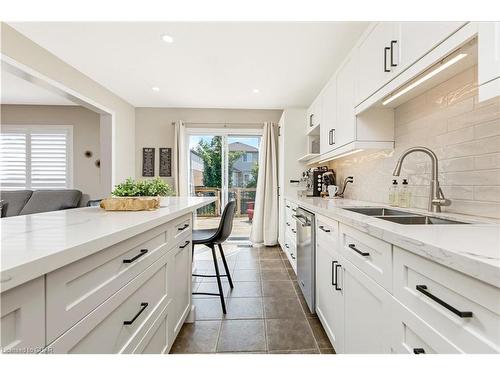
{"type": "Point", "coordinates": [266, 312]}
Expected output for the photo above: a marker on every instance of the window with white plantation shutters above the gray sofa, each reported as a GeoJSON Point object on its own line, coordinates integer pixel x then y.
{"type": "Point", "coordinates": [36, 157]}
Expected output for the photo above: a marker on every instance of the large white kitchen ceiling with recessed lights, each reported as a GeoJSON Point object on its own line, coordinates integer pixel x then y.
{"type": "Point", "coordinates": [209, 65]}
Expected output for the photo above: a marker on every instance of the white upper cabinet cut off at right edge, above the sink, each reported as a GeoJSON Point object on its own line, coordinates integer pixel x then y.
{"type": "Point", "coordinates": [488, 60]}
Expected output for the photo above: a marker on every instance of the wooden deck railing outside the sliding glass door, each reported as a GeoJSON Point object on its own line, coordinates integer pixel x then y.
{"type": "Point", "coordinates": [244, 197]}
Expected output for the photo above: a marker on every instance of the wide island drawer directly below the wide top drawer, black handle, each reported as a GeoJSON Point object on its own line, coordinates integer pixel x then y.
{"type": "Point", "coordinates": [122, 321]}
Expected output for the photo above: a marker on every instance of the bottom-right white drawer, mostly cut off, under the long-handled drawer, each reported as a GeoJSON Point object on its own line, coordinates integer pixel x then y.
{"type": "Point", "coordinates": [411, 335]}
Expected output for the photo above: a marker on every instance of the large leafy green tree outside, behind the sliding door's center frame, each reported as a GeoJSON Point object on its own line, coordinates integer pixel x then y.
{"type": "Point", "coordinates": [211, 154]}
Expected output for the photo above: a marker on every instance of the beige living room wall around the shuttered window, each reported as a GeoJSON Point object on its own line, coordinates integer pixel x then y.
{"type": "Point", "coordinates": [86, 176]}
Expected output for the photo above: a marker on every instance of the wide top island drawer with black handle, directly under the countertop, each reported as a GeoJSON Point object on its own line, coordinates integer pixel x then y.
{"type": "Point", "coordinates": [75, 290]}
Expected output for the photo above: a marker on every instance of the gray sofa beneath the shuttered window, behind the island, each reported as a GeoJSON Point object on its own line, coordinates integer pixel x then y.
{"type": "Point", "coordinates": [25, 202]}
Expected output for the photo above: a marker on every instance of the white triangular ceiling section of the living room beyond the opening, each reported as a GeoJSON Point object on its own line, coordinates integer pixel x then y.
{"type": "Point", "coordinates": [16, 90]}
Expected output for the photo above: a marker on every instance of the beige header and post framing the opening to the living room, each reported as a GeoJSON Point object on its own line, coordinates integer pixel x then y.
{"type": "Point", "coordinates": [24, 51]}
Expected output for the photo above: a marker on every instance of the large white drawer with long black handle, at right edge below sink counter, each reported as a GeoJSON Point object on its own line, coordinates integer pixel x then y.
{"type": "Point", "coordinates": [432, 291]}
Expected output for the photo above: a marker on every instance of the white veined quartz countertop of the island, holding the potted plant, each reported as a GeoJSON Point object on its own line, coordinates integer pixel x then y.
{"type": "Point", "coordinates": [33, 245]}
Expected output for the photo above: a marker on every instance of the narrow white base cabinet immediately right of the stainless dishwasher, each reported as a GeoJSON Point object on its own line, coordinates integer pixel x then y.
{"type": "Point", "coordinates": [329, 297]}
